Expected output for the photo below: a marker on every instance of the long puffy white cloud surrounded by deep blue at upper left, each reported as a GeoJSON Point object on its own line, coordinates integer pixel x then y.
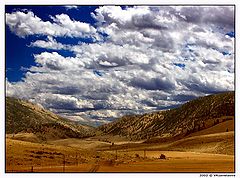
{"type": "Point", "coordinates": [26, 23]}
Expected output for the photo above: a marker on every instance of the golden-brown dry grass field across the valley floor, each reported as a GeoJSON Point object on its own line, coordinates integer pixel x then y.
{"type": "Point", "coordinates": [209, 150]}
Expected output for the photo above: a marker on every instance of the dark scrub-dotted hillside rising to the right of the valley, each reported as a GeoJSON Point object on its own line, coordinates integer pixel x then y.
{"type": "Point", "coordinates": [193, 116]}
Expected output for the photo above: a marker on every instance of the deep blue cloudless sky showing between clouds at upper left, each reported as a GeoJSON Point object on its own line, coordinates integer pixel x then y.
{"type": "Point", "coordinates": [15, 66]}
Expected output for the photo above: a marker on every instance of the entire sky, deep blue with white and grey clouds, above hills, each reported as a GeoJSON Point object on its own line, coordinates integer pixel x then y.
{"type": "Point", "coordinates": [93, 64]}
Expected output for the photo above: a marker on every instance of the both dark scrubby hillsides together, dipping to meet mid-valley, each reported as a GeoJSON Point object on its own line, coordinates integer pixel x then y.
{"type": "Point", "coordinates": [193, 116]}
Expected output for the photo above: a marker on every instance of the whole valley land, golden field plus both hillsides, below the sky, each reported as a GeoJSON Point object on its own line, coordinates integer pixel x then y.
{"type": "Point", "coordinates": [200, 145]}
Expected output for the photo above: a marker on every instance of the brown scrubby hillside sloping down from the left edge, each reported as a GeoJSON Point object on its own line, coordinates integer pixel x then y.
{"type": "Point", "coordinates": [25, 117]}
